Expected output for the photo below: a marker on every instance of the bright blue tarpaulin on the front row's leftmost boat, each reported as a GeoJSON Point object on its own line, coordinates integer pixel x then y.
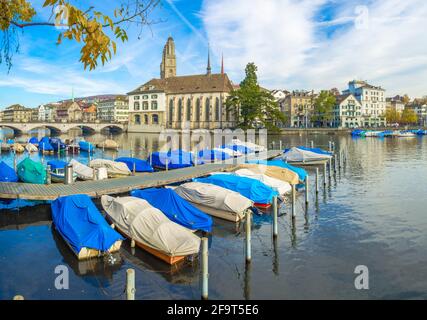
{"type": "Point", "coordinates": [81, 224]}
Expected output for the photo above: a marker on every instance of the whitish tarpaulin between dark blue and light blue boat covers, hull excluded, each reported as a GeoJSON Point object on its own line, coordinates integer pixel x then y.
{"type": "Point", "coordinates": [214, 197]}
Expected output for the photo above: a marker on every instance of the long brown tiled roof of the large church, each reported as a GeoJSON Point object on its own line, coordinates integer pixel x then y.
{"type": "Point", "coordinates": [187, 84]}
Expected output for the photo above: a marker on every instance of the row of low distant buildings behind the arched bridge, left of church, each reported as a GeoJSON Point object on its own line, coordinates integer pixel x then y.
{"type": "Point", "coordinates": [110, 109]}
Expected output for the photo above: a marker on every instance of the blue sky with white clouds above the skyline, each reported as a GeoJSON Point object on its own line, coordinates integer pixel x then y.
{"type": "Point", "coordinates": [306, 44]}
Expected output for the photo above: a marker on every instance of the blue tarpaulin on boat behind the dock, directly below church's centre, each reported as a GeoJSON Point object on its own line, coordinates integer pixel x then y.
{"type": "Point", "coordinates": [176, 159]}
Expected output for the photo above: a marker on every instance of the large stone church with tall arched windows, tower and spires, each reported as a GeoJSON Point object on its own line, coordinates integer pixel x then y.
{"type": "Point", "coordinates": [178, 102]}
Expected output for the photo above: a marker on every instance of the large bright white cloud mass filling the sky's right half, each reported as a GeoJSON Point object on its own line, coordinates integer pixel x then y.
{"type": "Point", "coordinates": [292, 50]}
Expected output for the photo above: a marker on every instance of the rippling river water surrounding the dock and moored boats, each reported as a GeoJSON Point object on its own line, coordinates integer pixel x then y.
{"type": "Point", "coordinates": [373, 213]}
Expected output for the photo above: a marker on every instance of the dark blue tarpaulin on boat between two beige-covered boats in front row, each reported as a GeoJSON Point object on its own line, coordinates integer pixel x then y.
{"type": "Point", "coordinates": [175, 208]}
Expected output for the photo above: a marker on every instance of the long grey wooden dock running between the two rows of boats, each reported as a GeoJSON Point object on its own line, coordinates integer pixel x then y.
{"type": "Point", "coordinates": [28, 191]}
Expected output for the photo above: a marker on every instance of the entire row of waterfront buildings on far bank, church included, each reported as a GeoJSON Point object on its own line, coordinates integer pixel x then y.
{"type": "Point", "coordinates": [198, 102]}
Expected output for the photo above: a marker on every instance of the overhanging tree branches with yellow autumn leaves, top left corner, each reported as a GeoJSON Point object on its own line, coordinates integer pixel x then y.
{"type": "Point", "coordinates": [94, 29]}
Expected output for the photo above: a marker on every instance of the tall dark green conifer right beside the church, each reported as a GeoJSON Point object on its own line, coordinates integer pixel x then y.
{"type": "Point", "coordinates": [254, 106]}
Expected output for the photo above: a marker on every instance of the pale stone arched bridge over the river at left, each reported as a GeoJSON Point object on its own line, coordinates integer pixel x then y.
{"type": "Point", "coordinates": [59, 127]}
